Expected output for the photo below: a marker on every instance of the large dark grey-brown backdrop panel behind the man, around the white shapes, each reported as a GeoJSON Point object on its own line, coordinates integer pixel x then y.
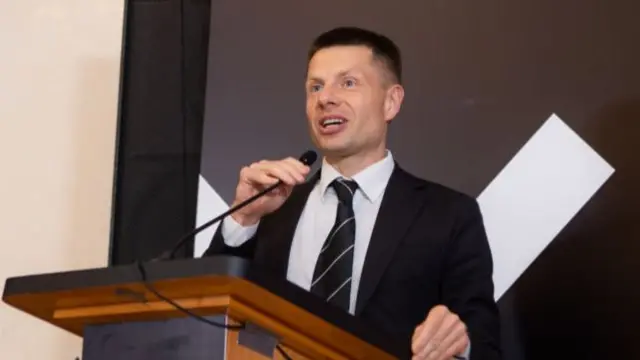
{"type": "Point", "coordinates": [481, 78]}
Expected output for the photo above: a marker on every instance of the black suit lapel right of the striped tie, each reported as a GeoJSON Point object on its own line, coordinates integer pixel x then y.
{"type": "Point", "coordinates": [401, 203]}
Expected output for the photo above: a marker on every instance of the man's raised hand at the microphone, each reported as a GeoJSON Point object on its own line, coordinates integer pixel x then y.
{"type": "Point", "coordinates": [260, 175]}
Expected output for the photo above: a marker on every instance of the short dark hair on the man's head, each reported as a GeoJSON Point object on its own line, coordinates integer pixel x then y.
{"type": "Point", "coordinates": [383, 48]}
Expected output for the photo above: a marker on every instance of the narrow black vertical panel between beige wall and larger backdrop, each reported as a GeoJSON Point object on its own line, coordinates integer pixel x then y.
{"type": "Point", "coordinates": [162, 102]}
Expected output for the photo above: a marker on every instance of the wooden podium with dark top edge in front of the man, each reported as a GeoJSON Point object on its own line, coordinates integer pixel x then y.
{"type": "Point", "coordinates": [120, 316]}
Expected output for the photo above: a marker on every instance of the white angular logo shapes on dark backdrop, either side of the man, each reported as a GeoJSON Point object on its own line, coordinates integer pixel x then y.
{"type": "Point", "coordinates": [525, 206]}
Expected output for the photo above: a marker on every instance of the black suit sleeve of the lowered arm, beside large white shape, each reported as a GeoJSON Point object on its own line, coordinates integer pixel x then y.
{"type": "Point", "coordinates": [467, 285]}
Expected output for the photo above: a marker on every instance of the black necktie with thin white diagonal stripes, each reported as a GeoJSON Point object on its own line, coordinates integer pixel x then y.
{"type": "Point", "coordinates": [332, 275]}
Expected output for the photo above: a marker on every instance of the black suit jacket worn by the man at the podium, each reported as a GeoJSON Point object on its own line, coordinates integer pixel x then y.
{"type": "Point", "coordinates": [428, 247]}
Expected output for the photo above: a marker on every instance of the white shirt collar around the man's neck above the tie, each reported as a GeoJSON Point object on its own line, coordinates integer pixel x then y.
{"type": "Point", "coordinates": [371, 181]}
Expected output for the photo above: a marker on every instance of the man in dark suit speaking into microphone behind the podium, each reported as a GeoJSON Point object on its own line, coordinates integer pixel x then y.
{"type": "Point", "coordinates": [407, 255]}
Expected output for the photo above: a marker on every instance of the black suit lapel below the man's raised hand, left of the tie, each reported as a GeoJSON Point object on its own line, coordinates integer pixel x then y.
{"type": "Point", "coordinates": [285, 223]}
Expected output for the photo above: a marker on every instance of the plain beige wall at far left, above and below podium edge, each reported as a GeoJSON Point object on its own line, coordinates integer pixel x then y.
{"type": "Point", "coordinates": [59, 78]}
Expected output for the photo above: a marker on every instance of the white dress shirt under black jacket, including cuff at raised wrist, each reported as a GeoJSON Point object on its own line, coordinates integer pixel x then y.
{"type": "Point", "coordinates": [318, 217]}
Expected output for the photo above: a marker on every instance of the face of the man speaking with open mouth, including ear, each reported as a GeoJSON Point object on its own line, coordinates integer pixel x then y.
{"type": "Point", "coordinates": [350, 100]}
